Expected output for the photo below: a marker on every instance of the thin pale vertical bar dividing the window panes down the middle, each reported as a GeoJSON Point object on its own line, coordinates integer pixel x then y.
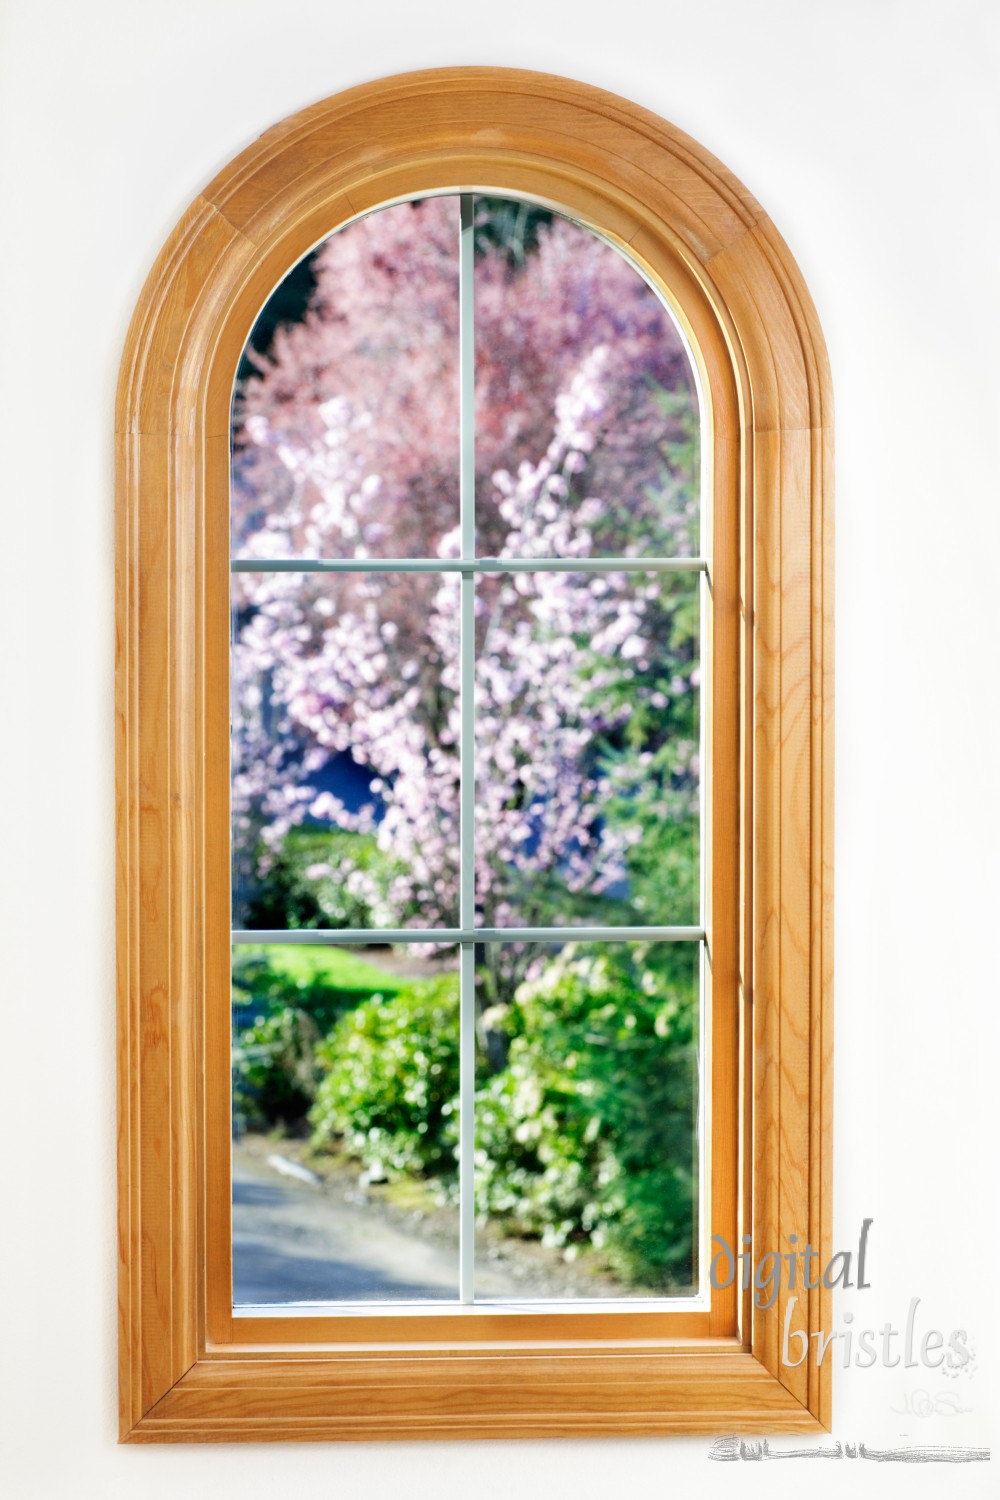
{"type": "Point", "coordinates": [467, 766]}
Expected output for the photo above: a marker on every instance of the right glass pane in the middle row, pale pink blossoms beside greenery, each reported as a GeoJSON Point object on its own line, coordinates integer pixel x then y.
{"type": "Point", "coordinates": [587, 736]}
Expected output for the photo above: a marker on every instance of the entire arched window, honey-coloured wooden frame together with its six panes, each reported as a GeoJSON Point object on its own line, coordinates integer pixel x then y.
{"type": "Point", "coordinates": [479, 667]}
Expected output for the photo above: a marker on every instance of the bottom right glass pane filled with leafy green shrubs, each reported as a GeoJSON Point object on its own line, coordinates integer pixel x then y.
{"type": "Point", "coordinates": [587, 1132]}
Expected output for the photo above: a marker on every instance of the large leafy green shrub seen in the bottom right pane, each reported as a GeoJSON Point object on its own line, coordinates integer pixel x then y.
{"type": "Point", "coordinates": [588, 1136]}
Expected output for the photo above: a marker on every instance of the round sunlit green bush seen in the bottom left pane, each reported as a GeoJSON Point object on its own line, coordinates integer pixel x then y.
{"type": "Point", "coordinates": [392, 1079]}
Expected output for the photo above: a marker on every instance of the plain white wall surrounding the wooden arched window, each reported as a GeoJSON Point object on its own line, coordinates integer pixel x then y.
{"type": "Point", "coordinates": [864, 128]}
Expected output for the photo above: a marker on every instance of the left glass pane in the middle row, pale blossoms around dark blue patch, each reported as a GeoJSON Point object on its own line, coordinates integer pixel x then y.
{"type": "Point", "coordinates": [346, 758]}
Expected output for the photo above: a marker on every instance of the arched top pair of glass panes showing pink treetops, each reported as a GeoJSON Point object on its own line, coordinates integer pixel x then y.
{"type": "Point", "coordinates": [347, 413]}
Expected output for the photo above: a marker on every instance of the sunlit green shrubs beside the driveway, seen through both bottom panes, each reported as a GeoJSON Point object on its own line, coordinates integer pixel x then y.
{"type": "Point", "coordinates": [587, 1138]}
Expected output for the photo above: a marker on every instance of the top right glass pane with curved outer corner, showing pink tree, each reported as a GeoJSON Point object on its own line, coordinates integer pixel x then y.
{"type": "Point", "coordinates": [587, 437]}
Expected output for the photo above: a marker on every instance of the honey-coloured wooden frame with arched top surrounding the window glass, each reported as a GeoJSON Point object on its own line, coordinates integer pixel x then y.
{"type": "Point", "coordinates": [190, 1372]}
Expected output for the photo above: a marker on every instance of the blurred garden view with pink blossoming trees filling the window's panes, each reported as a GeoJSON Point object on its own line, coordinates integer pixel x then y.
{"type": "Point", "coordinates": [346, 763]}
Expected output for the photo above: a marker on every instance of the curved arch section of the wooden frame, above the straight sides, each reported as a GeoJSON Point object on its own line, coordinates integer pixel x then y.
{"type": "Point", "coordinates": [638, 181]}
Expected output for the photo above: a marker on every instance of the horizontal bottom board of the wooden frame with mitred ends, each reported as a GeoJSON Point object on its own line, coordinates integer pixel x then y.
{"type": "Point", "coordinates": [479, 1394]}
